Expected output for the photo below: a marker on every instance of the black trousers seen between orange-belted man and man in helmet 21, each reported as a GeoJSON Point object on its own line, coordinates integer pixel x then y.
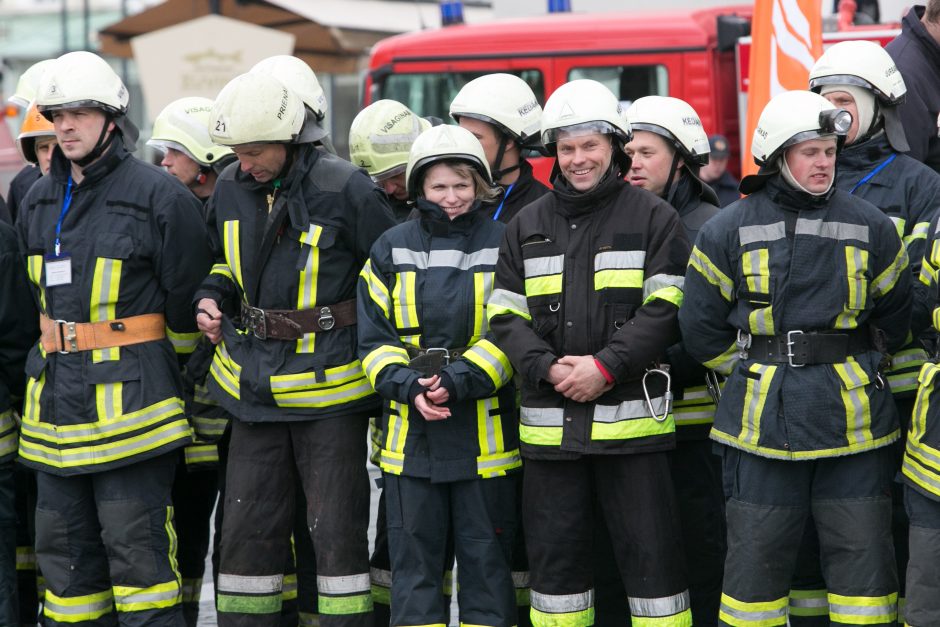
{"type": "Point", "coordinates": [194, 495]}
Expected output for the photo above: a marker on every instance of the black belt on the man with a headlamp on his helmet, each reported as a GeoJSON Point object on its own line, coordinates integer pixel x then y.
{"type": "Point", "coordinates": [798, 348]}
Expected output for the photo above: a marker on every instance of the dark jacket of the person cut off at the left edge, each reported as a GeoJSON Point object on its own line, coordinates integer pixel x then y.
{"type": "Point", "coordinates": [18, 331]}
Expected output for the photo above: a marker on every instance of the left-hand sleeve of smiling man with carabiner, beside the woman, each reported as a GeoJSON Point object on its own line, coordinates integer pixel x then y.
{"type": "Point", "coordinates": [509, 316]}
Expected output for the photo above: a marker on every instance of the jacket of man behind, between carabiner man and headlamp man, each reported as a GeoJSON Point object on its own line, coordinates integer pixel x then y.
{"type": "Point", "coordinates": [694, 405]}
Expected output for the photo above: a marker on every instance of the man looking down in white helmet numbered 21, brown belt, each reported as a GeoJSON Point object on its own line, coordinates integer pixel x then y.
{"type": "Point", "coordinates": [293, 225]}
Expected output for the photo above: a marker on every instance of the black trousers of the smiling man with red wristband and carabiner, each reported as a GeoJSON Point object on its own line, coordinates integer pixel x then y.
{"type": "Point", "coordinates": [636, 498]}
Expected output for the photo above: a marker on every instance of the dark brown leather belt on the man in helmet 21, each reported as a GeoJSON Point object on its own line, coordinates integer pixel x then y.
{"type": "Point", "coordinates": [293, 324]}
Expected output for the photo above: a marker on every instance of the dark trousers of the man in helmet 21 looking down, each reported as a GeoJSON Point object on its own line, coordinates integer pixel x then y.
{"type": "Point", "coordinates": [328, 458]}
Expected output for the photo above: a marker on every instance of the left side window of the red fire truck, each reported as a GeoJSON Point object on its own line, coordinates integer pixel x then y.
{"type": "Point", "coordinates": [431, 93]}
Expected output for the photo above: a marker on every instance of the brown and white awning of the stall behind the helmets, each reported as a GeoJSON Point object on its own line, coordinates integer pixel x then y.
{"type": "Point", "coordinates": [332, 35]}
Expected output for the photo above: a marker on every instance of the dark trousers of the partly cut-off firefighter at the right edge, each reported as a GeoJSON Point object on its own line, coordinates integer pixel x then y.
{"type": "Point", "coordinates": [923, 568]}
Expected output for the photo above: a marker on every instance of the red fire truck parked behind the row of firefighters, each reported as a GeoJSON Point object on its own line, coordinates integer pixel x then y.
{"type": "Point", "coordinates": [699, 56]}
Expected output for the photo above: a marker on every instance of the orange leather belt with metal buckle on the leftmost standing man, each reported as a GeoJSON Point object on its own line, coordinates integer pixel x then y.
{"type": "Point", "coordinates": [72, 337]}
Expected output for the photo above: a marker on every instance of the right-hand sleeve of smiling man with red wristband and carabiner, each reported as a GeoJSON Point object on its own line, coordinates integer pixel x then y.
{"type": "Point", "coordinates": [654, 327]}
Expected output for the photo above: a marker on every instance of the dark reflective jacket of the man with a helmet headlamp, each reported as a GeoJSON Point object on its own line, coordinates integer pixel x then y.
{"type": "Point", "coordinates": [781, 261]}
